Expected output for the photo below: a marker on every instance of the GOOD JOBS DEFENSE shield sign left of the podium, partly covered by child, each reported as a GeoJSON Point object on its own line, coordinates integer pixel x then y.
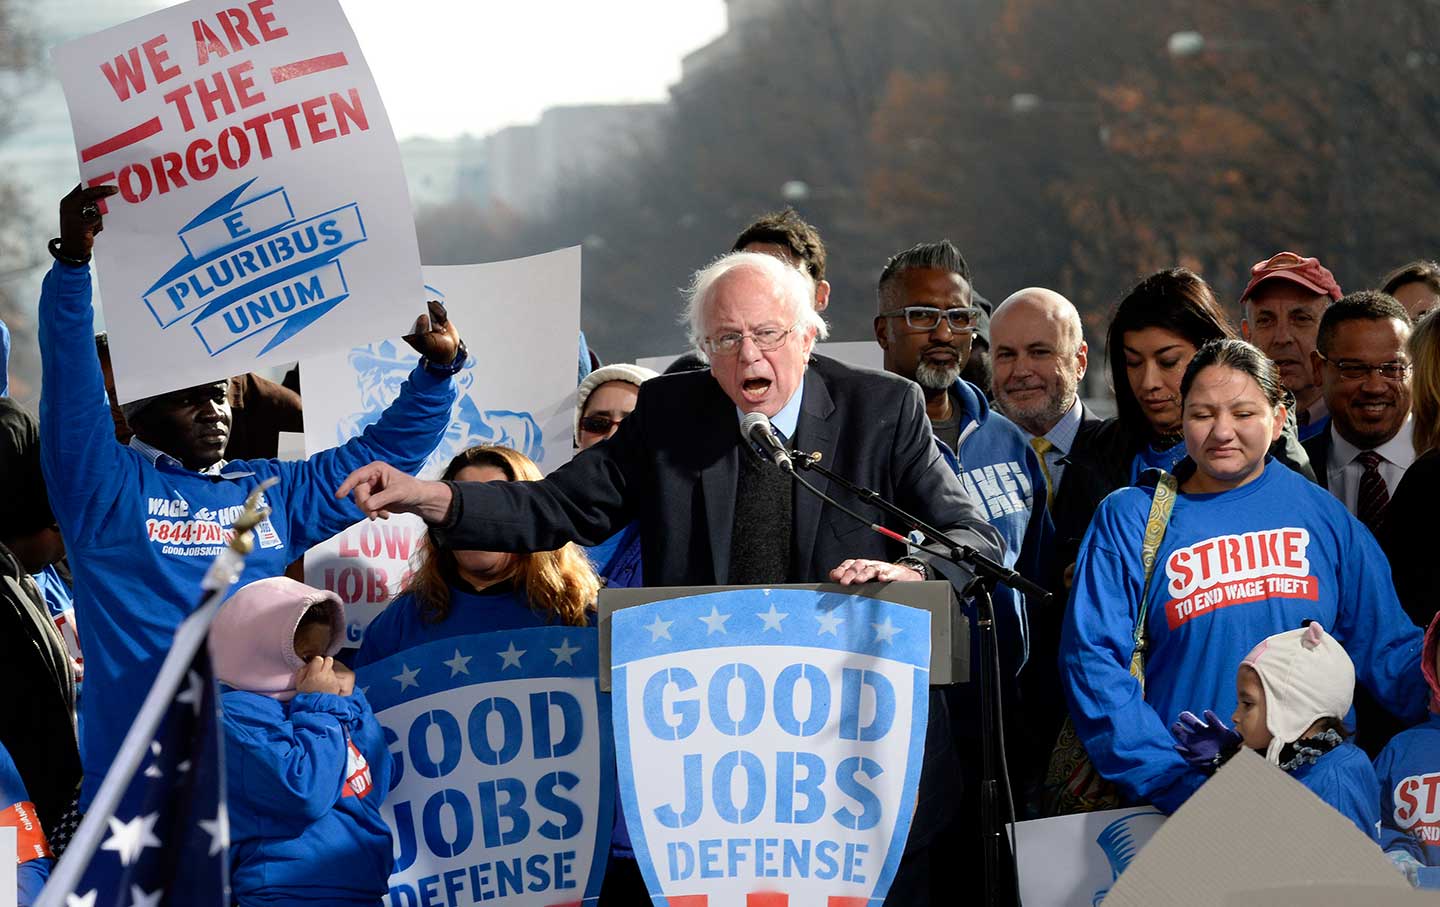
{"type": "Point", "coordinates": [503, 790]}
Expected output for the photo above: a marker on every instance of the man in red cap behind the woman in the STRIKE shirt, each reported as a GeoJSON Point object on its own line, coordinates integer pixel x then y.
{"type": "Point", "coordinates": [1282, 309]}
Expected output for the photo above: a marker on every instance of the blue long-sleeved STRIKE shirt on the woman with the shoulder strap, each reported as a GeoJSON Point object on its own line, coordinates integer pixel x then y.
{"type": "Point", "coordinates": [1235, 568]}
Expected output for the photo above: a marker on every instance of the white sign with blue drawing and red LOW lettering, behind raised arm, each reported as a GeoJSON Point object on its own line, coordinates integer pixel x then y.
{"type": "Point", "coordinates": [522, 325]}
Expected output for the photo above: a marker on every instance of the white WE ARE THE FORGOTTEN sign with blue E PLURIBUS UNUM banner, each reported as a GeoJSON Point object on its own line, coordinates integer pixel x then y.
{"type": "Point", "coordinates": [263, 212]}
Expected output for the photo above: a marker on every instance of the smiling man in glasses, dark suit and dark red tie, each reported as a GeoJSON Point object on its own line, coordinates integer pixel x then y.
{"type": "Point", "coordinates": [1363, 369]}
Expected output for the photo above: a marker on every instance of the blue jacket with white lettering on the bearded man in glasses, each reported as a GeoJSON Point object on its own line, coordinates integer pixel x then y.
{"type": "Point", "coordinates": [1003, 476]}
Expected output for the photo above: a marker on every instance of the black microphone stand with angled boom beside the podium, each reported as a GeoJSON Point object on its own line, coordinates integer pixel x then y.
{"type": "Point", "coordinates": [987, 574]}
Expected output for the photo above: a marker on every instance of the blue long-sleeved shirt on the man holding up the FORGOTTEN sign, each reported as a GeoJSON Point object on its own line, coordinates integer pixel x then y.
{"type": "Point", "coordinates": [145, 533]}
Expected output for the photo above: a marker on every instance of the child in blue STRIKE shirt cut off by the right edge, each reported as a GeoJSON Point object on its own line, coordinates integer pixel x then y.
{"type": "Point", "coordinates": [1409, 771]}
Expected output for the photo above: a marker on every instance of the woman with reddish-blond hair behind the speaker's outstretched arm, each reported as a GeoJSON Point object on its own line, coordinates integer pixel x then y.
{"type": "Point", "coordinates": [457, 594]}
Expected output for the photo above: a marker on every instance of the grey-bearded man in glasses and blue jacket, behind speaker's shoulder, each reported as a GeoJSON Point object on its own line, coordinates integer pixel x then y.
{"type": "Point", "coordinates": [925, 326]}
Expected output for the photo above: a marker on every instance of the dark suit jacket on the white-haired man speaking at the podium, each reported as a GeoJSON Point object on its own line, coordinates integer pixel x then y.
{"type": "Point", "coordinates": [675, 463]}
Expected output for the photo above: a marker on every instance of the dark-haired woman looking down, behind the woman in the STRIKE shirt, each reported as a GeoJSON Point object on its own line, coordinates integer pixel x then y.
{"type": "Point", "coordinates": [1156, 332]}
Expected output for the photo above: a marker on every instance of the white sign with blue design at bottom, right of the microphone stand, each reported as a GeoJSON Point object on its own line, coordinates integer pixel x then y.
{"type": "Point", "coordinates": [1072, 862]}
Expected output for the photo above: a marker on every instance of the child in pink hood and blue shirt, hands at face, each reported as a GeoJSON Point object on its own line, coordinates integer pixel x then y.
{"type": "Point", "coordinates": [306, 761]}
